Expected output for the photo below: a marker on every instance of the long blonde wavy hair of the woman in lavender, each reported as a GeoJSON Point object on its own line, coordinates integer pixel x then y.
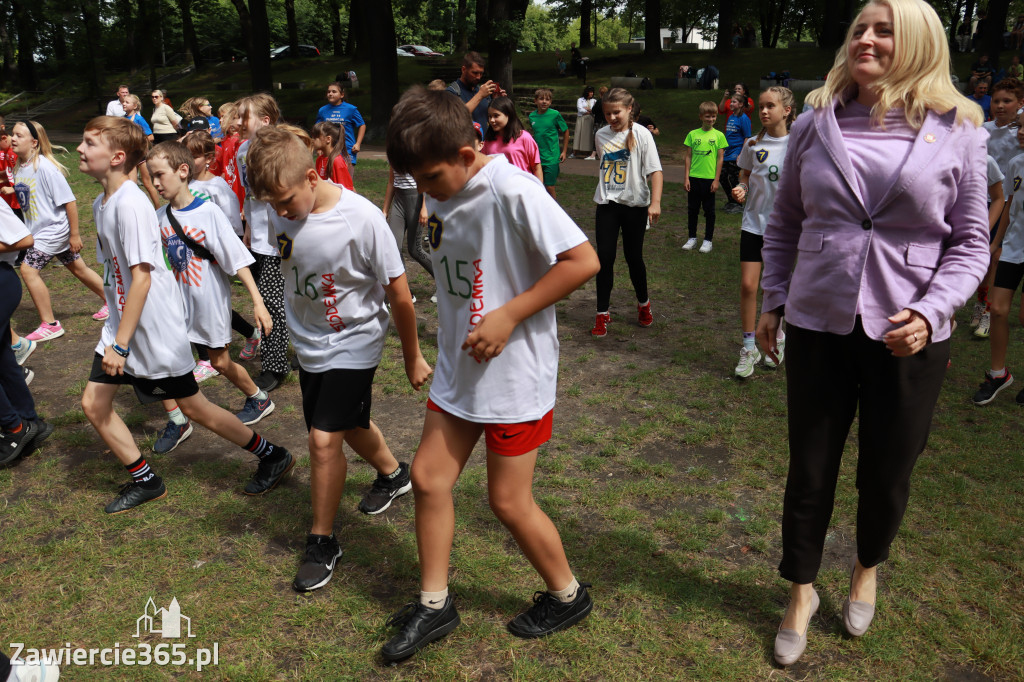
{"type": "Point", "coordinates": [919, 77]}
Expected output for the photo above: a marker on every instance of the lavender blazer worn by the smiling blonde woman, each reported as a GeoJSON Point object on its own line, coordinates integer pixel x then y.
{"type": "Point", "coordinates": [924, 247]}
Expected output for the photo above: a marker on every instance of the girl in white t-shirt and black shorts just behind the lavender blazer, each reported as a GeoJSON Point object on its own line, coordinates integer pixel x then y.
{"type": "Point", "coordinates": [760, 163]}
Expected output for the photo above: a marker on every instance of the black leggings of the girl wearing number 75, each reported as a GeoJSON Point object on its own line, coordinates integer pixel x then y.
{"type": "Point", "coordinates": [633, 222]}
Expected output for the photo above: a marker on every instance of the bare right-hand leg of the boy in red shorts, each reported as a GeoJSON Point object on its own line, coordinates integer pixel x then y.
{"type": "Point", "coordinates": [510, 487]}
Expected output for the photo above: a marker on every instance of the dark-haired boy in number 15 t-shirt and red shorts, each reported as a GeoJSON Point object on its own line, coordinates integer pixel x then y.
{"type": "Point", "coordinates": [504, 252]}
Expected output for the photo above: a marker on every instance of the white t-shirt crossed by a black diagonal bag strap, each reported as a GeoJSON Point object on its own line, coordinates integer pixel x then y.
{"type": "Point", "coordinates": [206, 287]}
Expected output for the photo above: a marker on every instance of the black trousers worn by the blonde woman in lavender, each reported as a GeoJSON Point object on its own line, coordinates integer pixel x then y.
{"type": "Point", "coordinates": [831, 378]}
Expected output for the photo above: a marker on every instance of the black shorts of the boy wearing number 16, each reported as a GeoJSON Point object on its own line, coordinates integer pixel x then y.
{"type": "Point", "coordinates": [337, 400]}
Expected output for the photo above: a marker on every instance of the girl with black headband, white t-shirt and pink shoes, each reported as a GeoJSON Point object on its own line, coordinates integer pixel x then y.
{"type": "Point", "coordinates": [52, 216]}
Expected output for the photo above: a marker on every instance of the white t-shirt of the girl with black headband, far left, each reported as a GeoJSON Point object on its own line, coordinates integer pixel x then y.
{"type": "Point", "coordinates": [42, 191]}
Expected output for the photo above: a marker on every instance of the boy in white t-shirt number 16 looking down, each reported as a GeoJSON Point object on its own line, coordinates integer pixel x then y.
{"type": "Point", "coordinates": [345, 260]}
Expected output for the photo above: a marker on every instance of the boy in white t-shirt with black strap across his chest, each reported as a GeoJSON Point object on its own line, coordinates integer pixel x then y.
{"type": "Point", "coordinates": [203, 259]}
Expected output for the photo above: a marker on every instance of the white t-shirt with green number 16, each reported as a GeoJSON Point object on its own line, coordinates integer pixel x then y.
{"type": "Point", "coordinates": [335, 267]}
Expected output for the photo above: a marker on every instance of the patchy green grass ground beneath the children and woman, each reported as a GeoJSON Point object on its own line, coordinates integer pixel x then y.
{"type": "Point", "coordinates": [665, 478]}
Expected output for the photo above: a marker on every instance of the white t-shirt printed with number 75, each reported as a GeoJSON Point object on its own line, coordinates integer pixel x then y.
{"type": "Point", "coordinates": [623, 173]}
